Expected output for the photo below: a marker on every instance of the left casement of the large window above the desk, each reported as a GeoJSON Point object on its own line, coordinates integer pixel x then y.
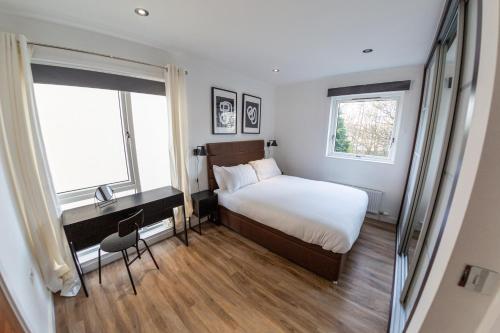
{"type": "Point", "coordinates": [87, 139]}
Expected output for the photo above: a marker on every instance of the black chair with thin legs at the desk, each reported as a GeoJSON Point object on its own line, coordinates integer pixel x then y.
{"type": "Point", "coordinates": [126, 237]}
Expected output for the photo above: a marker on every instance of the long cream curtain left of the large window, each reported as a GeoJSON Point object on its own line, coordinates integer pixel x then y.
{"type": "Point", "coordinates": [23, 152]}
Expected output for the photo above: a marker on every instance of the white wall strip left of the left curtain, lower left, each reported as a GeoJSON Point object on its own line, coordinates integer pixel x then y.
{"type": "Point", "coordinates": [18, 269]}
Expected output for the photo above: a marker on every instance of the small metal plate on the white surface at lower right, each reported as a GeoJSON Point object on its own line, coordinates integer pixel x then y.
{"type": "Point", "coordinates": [479, 279]}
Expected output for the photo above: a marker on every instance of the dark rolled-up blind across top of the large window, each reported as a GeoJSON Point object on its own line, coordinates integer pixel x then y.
{"type": "Point", "coordinates": [84, 78]}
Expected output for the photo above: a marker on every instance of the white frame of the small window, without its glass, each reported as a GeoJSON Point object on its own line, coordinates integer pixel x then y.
{"type": "Point", "coordinates": [332, 126]}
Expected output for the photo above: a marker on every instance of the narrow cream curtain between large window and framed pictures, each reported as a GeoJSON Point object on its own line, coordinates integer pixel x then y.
{"type": "Point", "coordinates": [175, 80]}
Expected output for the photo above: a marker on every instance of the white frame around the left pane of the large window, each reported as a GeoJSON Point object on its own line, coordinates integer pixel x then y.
{"type": "Point", "coordinates": [133, 181]}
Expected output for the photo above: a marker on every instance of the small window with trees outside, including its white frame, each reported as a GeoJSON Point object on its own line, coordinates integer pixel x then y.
{"type": "Point", "coordinates": [364, 126]}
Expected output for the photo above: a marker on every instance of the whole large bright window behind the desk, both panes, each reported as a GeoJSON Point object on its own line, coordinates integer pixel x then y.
{"type": "Point", "coordinates": [96, 136]}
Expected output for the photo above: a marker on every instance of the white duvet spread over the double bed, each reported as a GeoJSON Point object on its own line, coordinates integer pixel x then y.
{"type": "Point", "coordinates": [321, 213]}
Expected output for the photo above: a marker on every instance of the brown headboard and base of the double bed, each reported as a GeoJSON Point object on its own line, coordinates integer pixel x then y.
{"type": "Point", "coordinates": [326, 264]}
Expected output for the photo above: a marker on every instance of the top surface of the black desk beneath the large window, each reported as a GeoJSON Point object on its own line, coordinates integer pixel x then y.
{"type": "Point", "coordinates": [92, 211]}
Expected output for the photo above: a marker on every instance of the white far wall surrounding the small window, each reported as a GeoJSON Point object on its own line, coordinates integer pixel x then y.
{"type": "Point", "coordinates": [302, 114]}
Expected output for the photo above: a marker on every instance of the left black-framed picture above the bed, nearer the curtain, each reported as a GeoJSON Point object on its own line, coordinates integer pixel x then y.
{"type": "Point", "coordinates": [224, 111]}
